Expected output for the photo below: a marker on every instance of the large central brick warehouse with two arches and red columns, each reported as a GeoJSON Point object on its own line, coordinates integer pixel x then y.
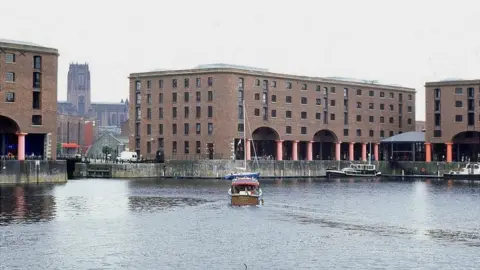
{"type": "Point", "coordinates": [198, 113]}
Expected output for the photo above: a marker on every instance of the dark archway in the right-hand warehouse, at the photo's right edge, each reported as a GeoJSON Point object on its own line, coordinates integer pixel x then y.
{"type": "Point", "coordinates": [466, 146]}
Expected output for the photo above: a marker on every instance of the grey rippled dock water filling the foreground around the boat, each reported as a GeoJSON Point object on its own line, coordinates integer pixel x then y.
{"type": "Point", "coordinates": [187, 224]}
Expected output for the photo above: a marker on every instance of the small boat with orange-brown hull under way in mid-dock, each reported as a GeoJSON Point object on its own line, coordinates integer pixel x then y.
{"type": "Point", "coordinates": [245, 191]}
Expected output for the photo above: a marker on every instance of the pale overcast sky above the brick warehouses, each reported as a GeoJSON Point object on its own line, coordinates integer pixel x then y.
{"type": "Point", "coordinates": [395, 42]}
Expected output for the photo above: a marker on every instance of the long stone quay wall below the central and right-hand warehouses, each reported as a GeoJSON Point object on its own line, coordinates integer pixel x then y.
{"type": "Point", "coordinates": [268, 169]}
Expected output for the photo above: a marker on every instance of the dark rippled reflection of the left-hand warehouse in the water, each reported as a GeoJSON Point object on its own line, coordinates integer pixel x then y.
{"type": "Point", "coordinates": [26, 204]}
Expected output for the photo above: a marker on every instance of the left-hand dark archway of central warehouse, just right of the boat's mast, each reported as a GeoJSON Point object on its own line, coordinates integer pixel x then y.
{"type": "Point", "coordinates": [264, 141]}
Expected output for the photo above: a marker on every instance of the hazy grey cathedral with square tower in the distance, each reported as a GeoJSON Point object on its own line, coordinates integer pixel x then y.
{"type": "Point", "coordinates": [79, 100]}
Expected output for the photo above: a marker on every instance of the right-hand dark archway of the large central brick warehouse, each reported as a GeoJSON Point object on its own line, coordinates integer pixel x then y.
{"type": "Point", "coordinates": [324, 145]}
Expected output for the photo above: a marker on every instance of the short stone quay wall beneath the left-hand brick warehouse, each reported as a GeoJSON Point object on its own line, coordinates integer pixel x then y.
{"type": "Point", "coordinates": [32, 171]}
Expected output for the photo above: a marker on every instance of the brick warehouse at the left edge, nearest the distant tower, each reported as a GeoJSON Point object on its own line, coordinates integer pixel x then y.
{"type": "Point", "coordinates": [28, 99]}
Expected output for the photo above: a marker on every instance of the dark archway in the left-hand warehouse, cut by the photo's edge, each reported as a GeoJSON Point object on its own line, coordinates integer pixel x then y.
{"type": "Point", "coordinates": [8, 137]}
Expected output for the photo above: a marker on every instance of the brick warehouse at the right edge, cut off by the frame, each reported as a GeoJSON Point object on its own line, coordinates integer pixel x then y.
{"type": "Point", "coordinates": [452, 120]}
